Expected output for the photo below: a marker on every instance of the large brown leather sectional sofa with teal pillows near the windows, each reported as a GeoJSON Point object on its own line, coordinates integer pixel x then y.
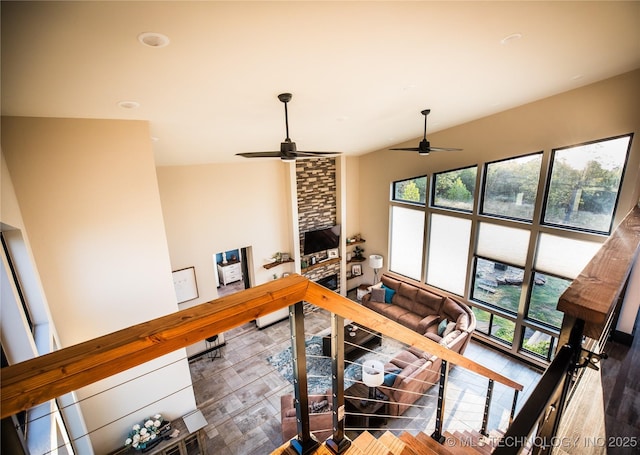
{"type": "Point", "coordinates": [441, 318]}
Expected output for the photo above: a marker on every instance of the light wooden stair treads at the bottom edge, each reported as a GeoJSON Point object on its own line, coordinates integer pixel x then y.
{"type": "Point", "coordinates": [456, 443]}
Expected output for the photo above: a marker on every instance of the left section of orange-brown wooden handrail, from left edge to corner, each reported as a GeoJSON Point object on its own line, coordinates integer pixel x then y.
{"type": "Point", "coordinates": [43, 378]}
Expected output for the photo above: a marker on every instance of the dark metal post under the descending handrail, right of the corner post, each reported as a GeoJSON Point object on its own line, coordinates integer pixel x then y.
{"type": "Point", "coordinates": [338, 442]}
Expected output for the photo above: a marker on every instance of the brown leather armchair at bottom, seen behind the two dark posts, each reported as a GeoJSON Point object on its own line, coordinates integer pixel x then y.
{"type": "Point", "coordinates": [320, 416]}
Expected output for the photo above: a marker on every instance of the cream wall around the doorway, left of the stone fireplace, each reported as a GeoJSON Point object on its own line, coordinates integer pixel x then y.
{"type": "Point", "coordinates": [209, 209]}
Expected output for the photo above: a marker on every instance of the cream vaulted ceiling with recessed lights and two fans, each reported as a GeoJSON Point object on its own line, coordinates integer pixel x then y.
{"type": "Point", "coordinates": [360, 72]}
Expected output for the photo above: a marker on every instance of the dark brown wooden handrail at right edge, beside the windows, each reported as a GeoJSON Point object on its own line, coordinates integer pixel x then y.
{"type": "Point", "coordinates": [594, 294]}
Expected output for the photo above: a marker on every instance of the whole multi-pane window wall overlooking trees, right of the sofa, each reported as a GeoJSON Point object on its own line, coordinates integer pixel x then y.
{"type": "Point", "coordinates": [539, 220]}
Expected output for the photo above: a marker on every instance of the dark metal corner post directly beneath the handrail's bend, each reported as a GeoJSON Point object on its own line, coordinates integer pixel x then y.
{"type": "Point", "coordinates": [305, 442]}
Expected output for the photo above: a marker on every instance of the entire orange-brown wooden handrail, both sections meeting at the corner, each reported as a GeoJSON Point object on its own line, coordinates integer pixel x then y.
{"type": "Point", "coordinates": [35, 381]}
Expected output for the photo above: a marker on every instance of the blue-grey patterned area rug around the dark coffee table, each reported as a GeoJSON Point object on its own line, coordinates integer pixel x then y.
{"type": "Point", "coordinates": [319, 366]}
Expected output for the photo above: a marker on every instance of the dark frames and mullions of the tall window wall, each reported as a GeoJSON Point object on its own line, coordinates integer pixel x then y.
{"type": "Point", "coordinates": [535, 227]}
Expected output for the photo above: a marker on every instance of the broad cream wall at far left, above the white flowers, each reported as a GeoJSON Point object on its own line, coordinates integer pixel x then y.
{"type": "Point", "coordinates": [88, 194]}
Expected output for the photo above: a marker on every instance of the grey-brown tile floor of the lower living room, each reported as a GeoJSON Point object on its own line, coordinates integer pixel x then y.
{"type": "Point", "coordinates": [239, 394]}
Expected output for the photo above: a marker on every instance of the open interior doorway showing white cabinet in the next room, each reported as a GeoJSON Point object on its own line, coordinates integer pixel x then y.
{"type": "Point", "coordinates": [232, 271]}
